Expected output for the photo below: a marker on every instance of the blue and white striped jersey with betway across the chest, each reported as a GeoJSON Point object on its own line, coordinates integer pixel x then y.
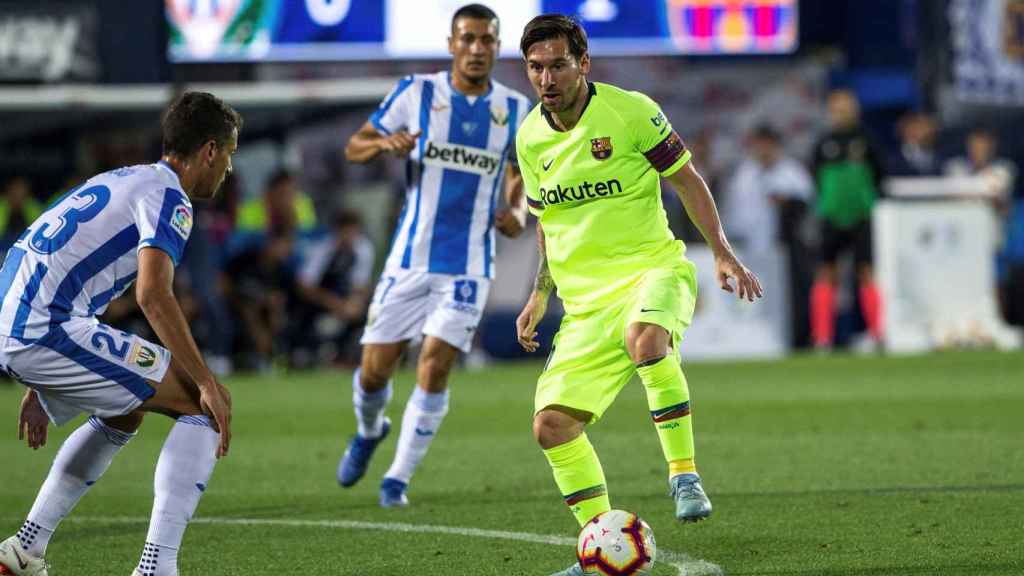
{"type": "Point", "coordinates": [455, 173]}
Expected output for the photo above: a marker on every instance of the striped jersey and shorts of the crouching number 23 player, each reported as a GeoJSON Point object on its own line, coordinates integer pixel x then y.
{"type": "Point", "coordinates": [67, 268]}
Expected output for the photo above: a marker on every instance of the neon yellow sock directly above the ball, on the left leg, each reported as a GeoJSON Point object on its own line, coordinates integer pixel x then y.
{"type": "Point", "coordinates": [580, 478]}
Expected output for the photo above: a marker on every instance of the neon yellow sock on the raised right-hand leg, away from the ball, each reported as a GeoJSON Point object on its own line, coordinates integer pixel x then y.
{"type": "Point", "coordinates": [669, 400]}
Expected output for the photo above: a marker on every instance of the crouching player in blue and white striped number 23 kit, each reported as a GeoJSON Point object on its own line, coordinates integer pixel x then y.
{"type": "Point", "coordinates": [123, 227]}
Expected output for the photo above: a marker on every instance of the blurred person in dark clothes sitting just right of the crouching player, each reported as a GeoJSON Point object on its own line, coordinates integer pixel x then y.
{"type": "Point", "coordinates": [257, 283]}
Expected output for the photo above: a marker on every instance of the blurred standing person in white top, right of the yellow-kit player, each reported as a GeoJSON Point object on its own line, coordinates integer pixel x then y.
{"type": "Point", "coordinates": [766, 208]}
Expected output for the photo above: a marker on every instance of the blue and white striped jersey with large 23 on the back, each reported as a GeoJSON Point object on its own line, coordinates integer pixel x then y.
{"type": "Point", "coordinates": [81, 254]}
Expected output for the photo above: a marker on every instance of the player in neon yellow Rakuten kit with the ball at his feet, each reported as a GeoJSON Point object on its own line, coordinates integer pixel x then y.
{"type": "Point", "coordinates": [591, 157]}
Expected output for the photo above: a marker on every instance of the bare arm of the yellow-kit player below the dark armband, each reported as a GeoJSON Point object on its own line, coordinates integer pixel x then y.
{"type": "Point", "coordinates": [700, 204]}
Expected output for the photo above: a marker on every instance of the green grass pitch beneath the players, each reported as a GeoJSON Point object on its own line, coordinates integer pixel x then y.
{"type": "Point", "coordinates": [816, 467]}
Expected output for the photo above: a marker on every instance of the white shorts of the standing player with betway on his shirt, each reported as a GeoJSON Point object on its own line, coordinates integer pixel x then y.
{"type": "Point", "coordinates": [410, 303]}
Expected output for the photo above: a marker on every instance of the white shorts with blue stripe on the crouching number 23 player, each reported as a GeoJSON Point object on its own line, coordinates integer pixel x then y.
{"type": "Point", "coordinates": [86, 366]}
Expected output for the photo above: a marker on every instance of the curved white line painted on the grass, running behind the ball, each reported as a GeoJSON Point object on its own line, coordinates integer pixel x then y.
{"type": "Point", "coordinates": [685, 564]}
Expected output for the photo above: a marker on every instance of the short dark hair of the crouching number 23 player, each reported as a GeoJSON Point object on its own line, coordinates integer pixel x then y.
{"type": "Point", "coordinates": [196, 118]}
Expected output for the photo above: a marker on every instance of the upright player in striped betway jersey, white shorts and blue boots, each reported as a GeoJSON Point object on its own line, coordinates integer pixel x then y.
{"type": "Point", "coordinates": [457, 130]}
